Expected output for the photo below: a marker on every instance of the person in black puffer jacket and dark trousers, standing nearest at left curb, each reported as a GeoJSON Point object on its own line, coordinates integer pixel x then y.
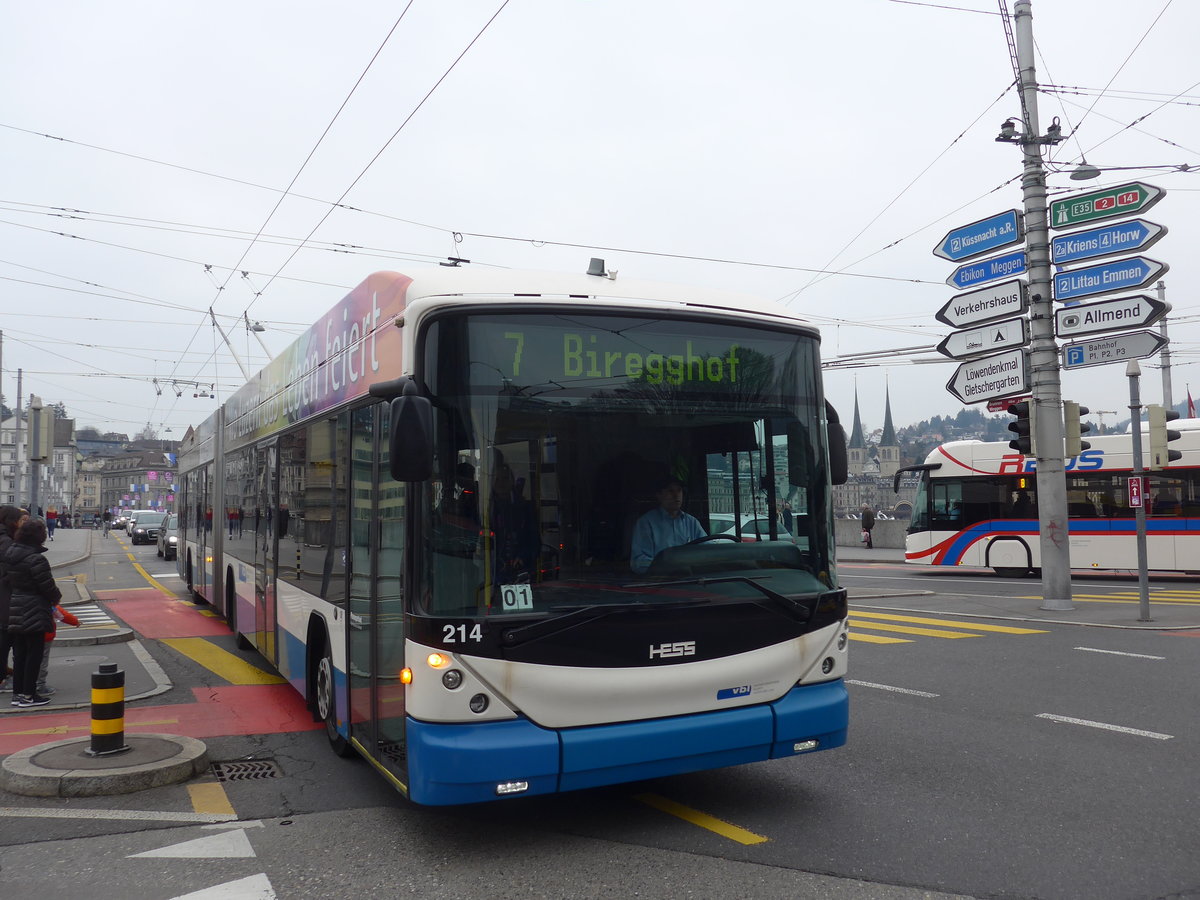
{"type": "Point", "coordinates": [32, 609]}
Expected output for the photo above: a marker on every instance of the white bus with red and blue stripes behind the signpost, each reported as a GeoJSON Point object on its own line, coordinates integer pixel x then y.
{"type": "Point", "coordinates": [977, 506]}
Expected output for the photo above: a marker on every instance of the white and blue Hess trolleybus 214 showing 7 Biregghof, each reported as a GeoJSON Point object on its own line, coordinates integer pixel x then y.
{"type": "Point", "coordinates": [422, 515]}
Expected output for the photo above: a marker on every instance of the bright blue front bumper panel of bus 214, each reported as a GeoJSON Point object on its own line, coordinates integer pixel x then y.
{"type": "Point", "coordinates": [466, 764]}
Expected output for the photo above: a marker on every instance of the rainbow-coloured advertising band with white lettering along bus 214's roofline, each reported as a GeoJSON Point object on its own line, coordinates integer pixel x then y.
{"type": "Point", "coordinates": [334, 362]}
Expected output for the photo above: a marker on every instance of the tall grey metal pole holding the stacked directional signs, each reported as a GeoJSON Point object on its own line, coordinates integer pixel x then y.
{"type": "Point", "coordinates": [1045, 373]}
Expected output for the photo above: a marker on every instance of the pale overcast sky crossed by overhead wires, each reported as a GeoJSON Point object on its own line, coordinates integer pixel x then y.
{"type": "Point", "coordinates": [749, 146]}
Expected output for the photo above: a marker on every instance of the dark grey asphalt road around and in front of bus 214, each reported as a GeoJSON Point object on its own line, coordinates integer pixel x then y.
{"type": "Point", "coordinates": [1047, 761]}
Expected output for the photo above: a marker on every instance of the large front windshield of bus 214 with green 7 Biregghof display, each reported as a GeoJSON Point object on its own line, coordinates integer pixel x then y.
{"type": "Point", "coordinates": [557, 433]}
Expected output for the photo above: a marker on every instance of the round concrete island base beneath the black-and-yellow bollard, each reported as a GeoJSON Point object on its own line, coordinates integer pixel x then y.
{"type": "Point", "coordinates": [64, 769]}
